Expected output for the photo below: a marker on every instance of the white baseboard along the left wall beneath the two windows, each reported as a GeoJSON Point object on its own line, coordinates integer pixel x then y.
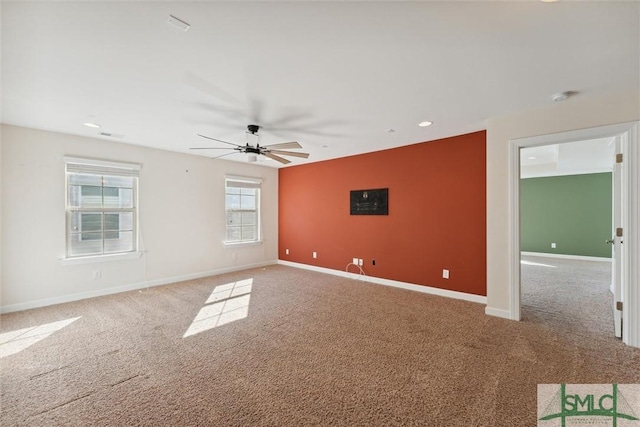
{"type": "Point", "coordinates": [131, 287]}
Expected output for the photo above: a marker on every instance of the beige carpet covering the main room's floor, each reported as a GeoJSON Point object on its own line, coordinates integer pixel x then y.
{"type": "Point", "coordinates": [313, 349]}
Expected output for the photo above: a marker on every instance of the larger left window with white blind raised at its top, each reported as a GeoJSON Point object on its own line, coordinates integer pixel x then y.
{"type": "Point", "coordinates": [101, 207]}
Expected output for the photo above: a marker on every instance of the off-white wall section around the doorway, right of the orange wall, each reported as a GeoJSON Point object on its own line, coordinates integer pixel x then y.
{"type": "Point", "coordinates": [572, 114]}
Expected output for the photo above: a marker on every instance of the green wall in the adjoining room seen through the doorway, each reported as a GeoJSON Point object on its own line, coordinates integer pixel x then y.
{"type": "Point", "coordinates": [573, 211]}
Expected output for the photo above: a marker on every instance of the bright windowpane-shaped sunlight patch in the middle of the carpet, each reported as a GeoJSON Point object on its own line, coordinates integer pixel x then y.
{"type": "Point", "coordinates": [227, 303]}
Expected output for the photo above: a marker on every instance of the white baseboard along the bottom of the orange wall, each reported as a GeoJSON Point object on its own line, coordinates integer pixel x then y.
{"type": "Point", "coordinates": [394, 283]}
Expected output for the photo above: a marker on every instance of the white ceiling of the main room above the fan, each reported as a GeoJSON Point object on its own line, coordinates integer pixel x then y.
{"type": "Point", "coordinates": [334, 76]}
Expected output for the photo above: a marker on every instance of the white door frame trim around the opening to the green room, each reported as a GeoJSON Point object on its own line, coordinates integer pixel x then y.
{"type": "Point", "coordinates": [631, 225]}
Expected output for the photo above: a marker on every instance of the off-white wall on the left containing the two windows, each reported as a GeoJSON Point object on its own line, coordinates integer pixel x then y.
{"type": "Point", "coordinates": [181, 211]}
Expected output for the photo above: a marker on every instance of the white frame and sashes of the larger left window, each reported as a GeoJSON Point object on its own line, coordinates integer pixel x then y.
{"type": "Point", "coordinates": [75, 165]}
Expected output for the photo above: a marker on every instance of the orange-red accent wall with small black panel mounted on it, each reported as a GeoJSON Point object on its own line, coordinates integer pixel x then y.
{"type": "Point", "coordinates": [436, 221]}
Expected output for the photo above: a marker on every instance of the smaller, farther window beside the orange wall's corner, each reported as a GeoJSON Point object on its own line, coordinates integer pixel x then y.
{"type": "Point", "coordinates": [242, 202]}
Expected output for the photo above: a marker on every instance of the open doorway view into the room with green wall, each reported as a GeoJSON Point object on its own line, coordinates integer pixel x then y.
{"type": "Point", "coordinates": [566, 219]}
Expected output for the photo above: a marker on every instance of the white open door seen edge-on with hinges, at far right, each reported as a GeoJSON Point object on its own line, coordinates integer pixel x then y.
{"type": "Point", "coordinates": [617, 241]}
